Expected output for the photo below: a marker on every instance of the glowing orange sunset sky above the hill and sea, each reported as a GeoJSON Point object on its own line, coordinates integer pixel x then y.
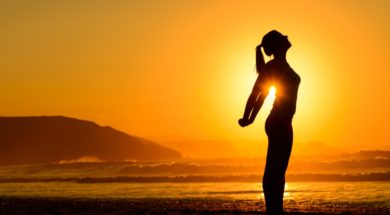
{"type": "Point", "coordinates": [185, 68]}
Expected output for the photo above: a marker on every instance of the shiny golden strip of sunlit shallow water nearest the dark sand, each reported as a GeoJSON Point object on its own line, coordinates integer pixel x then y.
{"type": "Point", "coordinates": [296, 192]}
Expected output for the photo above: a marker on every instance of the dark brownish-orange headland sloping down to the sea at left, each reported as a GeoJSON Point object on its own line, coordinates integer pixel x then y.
{"type": "Point", "coordinates": [54, 138]}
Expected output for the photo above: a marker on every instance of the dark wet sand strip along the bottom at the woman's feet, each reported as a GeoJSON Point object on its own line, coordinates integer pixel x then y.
{"type": "Point", "coordinates": [60, 206]}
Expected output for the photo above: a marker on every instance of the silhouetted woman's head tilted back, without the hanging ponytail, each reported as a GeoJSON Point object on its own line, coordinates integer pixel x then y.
{"type": "Point", "coordinates": [275, 43]}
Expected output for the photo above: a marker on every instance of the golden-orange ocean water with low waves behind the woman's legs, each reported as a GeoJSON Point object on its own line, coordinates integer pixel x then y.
{"type": "Point", "coordinates": [147, 182]}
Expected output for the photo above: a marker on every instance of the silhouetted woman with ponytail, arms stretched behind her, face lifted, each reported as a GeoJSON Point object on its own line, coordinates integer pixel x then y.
{"type": "Point", "coordinates": [279, 74]}
